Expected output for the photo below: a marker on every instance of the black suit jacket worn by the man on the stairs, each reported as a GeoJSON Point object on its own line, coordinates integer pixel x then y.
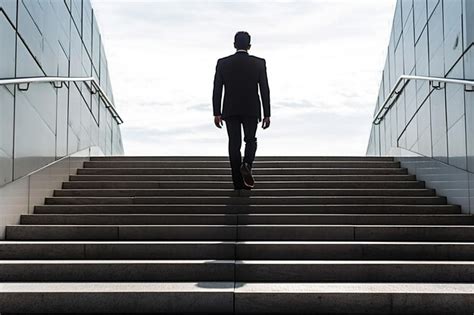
{"type": "Point", "coordinates": [241, 74]}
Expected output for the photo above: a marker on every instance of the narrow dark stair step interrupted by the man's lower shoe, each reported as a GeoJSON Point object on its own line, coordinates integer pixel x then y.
{"type": "Point", "coordinates": [229, 185]}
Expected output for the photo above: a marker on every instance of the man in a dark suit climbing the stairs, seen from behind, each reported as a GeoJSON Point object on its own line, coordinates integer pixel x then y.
{"type": "Point", "coordinates": [242, 75]}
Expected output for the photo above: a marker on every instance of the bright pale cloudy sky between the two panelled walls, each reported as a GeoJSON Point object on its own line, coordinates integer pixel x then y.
{"type": "Point", "coordinates": [324, 61]}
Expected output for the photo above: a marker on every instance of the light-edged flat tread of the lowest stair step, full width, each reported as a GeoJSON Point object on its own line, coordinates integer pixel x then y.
{"type": "Point", "coordinates": [240, 287]}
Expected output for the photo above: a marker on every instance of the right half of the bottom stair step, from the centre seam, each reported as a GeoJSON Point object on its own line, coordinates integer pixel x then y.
{"type": "Point", "coordinates": [354, 298]}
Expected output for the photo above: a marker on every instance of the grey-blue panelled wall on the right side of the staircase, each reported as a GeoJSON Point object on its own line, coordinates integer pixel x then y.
{"type": "Point", "coordinates": [430, 38]}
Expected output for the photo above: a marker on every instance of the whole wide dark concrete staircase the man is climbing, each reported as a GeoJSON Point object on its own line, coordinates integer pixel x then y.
{"type": "Point", "coordinates": [169, 235]}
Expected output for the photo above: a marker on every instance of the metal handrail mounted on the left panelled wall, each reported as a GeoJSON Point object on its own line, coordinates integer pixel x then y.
{"type": "Point", "coordinates": [95, 88]}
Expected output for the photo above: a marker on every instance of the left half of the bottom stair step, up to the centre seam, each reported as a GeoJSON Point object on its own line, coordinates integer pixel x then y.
{"type": "Point", "coordinates": [117, 297]}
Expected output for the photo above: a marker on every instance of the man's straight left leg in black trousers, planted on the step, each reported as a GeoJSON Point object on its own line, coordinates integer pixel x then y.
{"type": "Point", "coordinates": [234, 130]}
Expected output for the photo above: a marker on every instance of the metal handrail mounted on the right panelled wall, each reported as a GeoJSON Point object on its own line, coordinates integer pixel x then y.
{"type": "Point", "coordinates": [435, 82]}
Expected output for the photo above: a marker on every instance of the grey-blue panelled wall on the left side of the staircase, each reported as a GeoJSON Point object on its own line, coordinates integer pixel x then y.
{"type": "Point", "coordinates": [44, 124]}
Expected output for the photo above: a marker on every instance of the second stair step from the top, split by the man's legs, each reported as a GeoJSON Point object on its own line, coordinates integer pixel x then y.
{"type": "Point", "coordinates": [257, 164]}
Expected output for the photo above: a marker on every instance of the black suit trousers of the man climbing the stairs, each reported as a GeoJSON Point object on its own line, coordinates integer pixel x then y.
{"type": "Point", "coordinates": [234, 126]}
